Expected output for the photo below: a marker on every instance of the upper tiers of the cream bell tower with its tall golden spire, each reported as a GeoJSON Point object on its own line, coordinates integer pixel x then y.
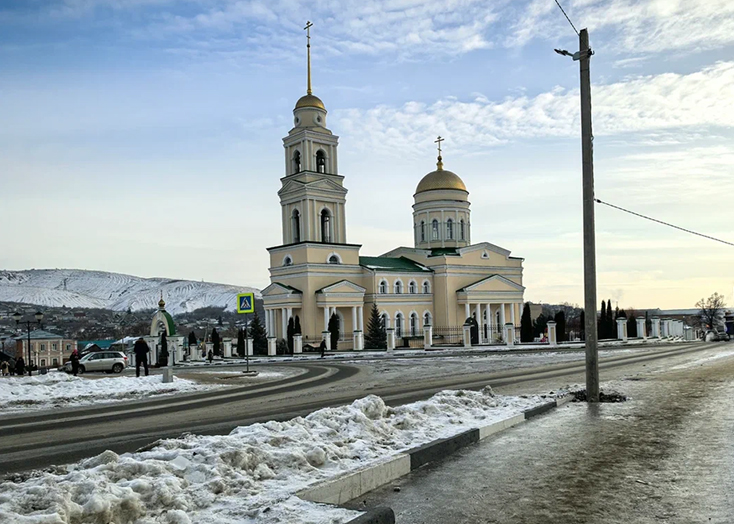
{"type": "Point", "coordinates": [312, 196]}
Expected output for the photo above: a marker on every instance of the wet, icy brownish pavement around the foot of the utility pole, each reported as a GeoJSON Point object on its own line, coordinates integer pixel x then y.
{"type": "Point", "coordinates": [666, 455]}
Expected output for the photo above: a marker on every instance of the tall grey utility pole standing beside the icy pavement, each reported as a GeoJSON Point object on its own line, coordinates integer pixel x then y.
{"type": "Point", "coordinates": [592, 345]}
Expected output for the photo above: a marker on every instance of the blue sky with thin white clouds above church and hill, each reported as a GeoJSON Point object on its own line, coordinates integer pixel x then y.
{"type": "Point", "coordinates": [144, 136]}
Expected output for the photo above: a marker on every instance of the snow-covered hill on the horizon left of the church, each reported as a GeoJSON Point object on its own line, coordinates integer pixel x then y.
{"type": "Point", "coordinates": [99, 289]}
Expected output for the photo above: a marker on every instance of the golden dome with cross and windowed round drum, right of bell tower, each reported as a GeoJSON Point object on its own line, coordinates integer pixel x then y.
{"type": "Point", "coordinates": [441, 210]}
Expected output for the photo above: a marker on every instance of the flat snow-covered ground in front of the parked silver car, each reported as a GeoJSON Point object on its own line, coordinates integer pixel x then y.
{"type": "Point", "coordinates": [58, 389]}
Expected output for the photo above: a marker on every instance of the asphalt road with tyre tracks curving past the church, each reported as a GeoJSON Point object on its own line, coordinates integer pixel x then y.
{"type": "Point", "coordinates": [62, 436]}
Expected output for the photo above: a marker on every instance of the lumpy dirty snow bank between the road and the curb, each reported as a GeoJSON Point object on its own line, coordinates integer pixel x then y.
{"type": "Point", "coordinates": [250, 475]}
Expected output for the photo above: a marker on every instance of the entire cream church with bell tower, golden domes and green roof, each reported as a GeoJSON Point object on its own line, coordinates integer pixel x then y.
{"type": "Point", "coordinates": [431, 289]}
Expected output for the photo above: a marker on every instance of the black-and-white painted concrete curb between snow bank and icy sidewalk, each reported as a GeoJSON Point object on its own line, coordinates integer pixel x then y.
{"type": "Point", "coordinates": [356, 483]}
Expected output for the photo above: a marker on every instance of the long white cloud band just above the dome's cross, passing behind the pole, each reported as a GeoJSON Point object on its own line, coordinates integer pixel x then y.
{"type": "Point", "coordinates": [637, 105]}
